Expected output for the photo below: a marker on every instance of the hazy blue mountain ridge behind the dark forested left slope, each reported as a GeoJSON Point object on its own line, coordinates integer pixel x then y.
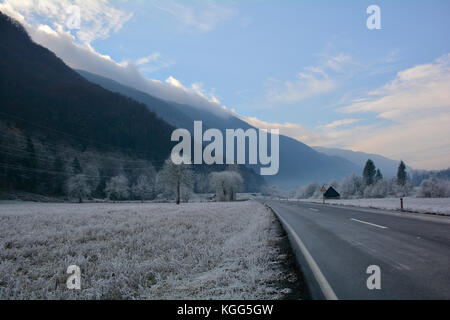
{"type": "Point", "coordinates": [299, 164]}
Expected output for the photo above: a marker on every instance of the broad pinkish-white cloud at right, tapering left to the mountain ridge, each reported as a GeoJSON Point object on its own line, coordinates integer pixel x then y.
{"type": "Point", "coordinates": [412, 119]}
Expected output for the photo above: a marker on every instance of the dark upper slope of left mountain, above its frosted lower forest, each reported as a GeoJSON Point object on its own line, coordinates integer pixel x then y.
{"type": "Point", "coordinates": [39, 88]}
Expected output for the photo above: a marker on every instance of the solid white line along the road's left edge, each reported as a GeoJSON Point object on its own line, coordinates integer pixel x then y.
{"type": "Point", "coordinates": [324, 285]}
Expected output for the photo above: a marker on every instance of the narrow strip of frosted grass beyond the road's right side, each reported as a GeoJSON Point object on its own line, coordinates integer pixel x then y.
{"type": "Point", "coordinates": [421, 205]}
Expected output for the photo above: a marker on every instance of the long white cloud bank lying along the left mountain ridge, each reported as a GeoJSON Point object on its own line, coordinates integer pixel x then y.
{"type": "Point", "coordinates": [84, 57]}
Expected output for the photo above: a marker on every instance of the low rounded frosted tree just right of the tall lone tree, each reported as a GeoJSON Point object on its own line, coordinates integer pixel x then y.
{"type": "Point", "coordinates": [226, 184]}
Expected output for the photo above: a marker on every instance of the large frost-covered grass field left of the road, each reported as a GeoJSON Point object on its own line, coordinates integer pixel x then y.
{"type": "Point", "coordinates": [140, 251]}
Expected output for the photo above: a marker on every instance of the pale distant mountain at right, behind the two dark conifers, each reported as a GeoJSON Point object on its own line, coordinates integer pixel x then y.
{"type": "Point", "coordinates": [388, 167]}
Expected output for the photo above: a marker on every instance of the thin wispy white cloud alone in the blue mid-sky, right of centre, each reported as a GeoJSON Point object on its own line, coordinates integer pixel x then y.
{"type": "Point", "coordinates": [312, 81]}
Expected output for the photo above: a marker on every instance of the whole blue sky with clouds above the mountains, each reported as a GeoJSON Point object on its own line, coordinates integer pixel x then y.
{"type": "Point", "coordinates": [312, 69]}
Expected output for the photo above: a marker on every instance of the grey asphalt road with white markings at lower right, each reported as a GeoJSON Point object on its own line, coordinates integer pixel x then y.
{"type": "Point", "coordinates": [338, 244]}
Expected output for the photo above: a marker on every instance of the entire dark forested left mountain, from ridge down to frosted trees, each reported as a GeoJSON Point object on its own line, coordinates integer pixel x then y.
{"type": "Point", "coordinates": [55, 123]}
